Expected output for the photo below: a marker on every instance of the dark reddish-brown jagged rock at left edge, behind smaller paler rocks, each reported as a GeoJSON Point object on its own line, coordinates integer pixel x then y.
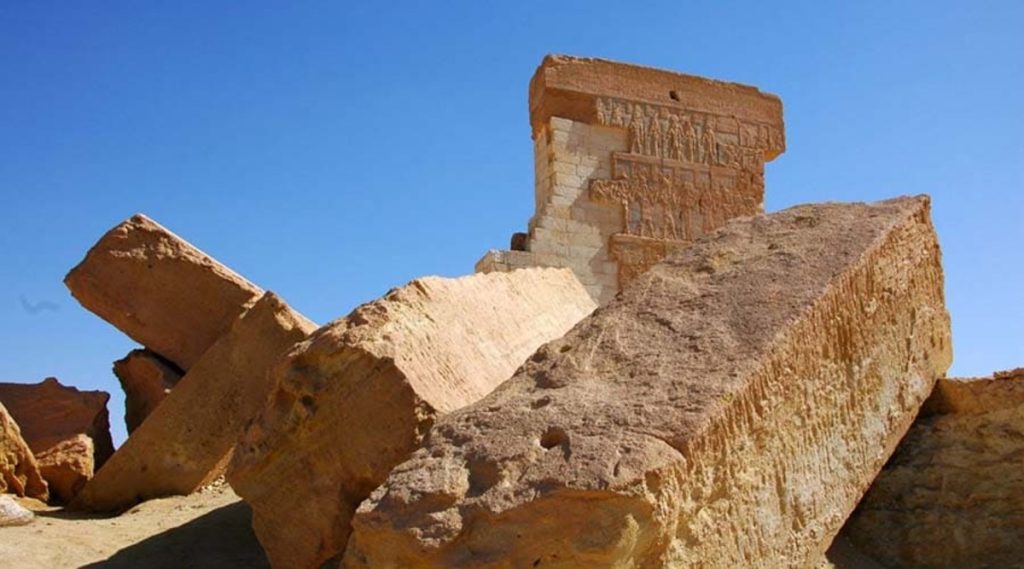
{"type": "Point", "coordinates": [51, 414]}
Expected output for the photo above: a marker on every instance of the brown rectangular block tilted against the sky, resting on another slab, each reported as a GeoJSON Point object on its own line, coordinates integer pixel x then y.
{"type": "Point", "coordinates": [161, 291]}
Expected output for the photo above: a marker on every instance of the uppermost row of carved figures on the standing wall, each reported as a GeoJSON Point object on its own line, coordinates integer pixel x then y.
{"type": "Point", "coordinates": [688, 137]}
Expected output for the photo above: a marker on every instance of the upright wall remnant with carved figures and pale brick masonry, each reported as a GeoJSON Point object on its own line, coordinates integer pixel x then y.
{"type": "Point", "coordinates": [633, 163]}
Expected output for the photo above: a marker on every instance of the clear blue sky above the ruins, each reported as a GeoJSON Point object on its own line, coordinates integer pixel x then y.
{"type": "Point", "coordinates": [331, 151]}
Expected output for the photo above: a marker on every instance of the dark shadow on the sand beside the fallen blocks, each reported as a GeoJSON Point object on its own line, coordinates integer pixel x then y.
{"type": "Point", "coordinates": [223, 540]}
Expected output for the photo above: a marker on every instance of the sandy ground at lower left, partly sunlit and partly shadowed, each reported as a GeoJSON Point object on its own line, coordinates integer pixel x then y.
{"type": "Point", "coordinates": [208, 530]}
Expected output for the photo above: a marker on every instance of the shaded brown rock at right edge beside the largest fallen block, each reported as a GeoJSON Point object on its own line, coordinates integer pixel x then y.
{"type": "Point", "coordinates": [953, 496]}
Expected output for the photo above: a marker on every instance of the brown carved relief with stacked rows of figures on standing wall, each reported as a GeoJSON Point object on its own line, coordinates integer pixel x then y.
{"type": "Point", "coordinates": [686, 174]}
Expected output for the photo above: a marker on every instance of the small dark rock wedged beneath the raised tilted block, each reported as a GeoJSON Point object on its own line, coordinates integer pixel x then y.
{"type": "Point", "coordinates": [147, 379]}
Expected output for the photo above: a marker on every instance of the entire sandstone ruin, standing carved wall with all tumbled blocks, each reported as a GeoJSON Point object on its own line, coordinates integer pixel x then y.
{"type": "Point", "coordinates": [740, 399]}
